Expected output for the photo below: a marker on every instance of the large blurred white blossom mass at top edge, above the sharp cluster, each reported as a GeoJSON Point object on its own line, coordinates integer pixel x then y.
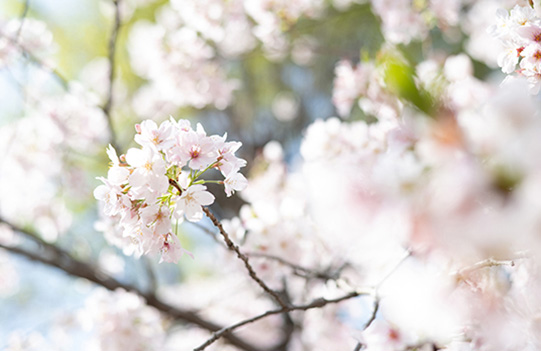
{"type": "Point", "coordinates": [182, 54]}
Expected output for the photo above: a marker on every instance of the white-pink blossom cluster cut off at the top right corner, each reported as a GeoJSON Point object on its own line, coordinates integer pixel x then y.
{"type": "Point", "coordinates": [519, 32]}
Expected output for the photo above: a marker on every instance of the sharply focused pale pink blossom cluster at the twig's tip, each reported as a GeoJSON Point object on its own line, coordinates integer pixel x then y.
{"type": "Point", "coordinates": [156, 186]}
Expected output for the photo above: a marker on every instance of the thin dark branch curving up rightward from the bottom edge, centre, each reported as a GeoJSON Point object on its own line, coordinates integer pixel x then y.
{"type": "Point", "coordinates": [317, 303]}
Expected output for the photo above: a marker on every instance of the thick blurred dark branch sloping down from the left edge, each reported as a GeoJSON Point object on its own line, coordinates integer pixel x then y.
{"type": "Point", "coordinates": [61, 259]}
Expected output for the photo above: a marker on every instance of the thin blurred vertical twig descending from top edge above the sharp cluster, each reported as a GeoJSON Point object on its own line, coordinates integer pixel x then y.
{"type": "Point", "coordinates": [107, 107]}
